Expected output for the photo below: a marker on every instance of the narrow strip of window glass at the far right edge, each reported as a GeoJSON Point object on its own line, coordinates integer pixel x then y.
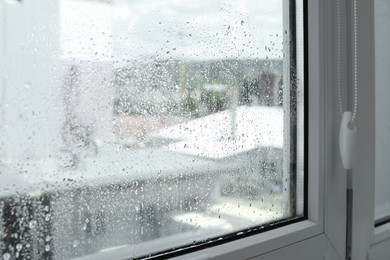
{"type": "Point", "coordinates": [382, 107]}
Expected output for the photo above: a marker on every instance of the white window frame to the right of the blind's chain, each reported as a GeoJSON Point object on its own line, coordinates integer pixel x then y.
{"type": "Point", "coordinates": [369, 242]}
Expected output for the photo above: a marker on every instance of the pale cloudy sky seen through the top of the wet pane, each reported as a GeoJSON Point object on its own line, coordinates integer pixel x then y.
{"type": "Point", "coordinates": [125, 30]}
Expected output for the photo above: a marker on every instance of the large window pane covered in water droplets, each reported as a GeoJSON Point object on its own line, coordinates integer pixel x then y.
{"type": "Point", "coordinates": [132, 127]}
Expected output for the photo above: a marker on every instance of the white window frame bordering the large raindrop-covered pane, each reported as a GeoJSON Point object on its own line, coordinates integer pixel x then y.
{"type": "Point", "coordinates": [324, 232]}
